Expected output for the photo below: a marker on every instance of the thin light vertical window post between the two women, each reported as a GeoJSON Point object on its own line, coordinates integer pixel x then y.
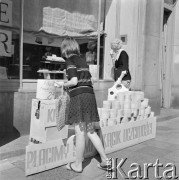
{"type": "Point", "coordinates": [98, 47]}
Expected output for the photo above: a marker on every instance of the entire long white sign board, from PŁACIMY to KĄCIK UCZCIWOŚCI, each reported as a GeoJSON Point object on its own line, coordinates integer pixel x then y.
{"type": "Point", "coordinates": [41, 157]}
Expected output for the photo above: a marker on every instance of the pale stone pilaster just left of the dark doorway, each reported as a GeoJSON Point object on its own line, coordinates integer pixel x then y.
{"type": "Point", "coordinates": [151, 58]}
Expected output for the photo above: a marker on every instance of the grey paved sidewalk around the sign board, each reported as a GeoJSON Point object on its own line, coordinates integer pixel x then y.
{"type": "Point", "coordinates": [164, 147]}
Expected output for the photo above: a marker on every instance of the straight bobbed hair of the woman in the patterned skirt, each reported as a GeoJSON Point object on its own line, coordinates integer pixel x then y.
{"type": "Point", "coordinates": [69, 47]}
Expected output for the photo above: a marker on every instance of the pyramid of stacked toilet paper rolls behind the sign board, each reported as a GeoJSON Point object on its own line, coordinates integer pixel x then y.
{"type": "Point", "coordinates": [128, 106]}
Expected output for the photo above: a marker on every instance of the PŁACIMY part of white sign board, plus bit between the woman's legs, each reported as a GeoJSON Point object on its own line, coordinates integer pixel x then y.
{"type": "Point", "coordinates": [41, 157]}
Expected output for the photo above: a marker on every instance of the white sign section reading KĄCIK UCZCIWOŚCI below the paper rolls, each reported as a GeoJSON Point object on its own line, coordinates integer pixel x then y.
{"type": "Point", "coordinates": [127, 134]}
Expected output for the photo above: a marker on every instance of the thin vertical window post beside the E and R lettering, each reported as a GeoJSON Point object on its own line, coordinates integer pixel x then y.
{"type": "Point", "coordinates": [21, 43]}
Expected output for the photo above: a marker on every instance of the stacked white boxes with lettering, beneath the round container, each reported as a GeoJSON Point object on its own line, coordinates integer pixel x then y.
{"type": "Point", "coordinates": [43, 121]}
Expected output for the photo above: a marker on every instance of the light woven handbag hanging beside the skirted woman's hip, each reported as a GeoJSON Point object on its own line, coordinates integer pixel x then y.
{"type": "Point", "coordinates": [62, 109]}
